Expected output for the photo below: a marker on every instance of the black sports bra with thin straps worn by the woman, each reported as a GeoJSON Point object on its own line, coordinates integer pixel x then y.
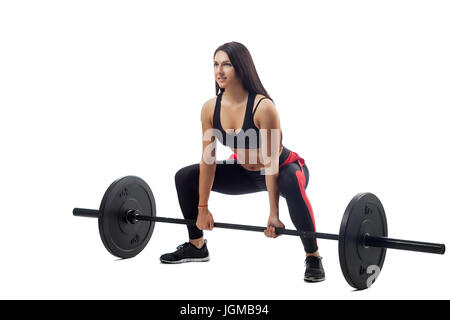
{"type": "Point", "coordinates": [248, 137]}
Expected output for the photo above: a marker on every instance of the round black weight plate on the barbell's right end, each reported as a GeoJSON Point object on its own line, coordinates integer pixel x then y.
{"type": "Point", "coordinates": [364, 215]}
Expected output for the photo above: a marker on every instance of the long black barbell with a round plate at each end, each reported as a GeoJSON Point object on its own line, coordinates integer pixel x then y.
{"type": "Point", "coordinates": [127, 217]}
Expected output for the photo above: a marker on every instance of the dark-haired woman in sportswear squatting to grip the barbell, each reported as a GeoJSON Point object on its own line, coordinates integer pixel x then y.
{"type": "Point", "coordinates": [259, 162]}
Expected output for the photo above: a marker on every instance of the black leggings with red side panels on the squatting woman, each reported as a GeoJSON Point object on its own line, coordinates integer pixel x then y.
{"type": "Point", "coordinates": [231, 178]}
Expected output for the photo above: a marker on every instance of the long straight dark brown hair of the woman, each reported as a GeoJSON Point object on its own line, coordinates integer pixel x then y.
{"type": "Point", "coordinates": [242, 62]}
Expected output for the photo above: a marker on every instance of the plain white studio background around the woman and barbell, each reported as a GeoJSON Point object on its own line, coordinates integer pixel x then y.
{"type": "Point", "coordinates": [94, 90]}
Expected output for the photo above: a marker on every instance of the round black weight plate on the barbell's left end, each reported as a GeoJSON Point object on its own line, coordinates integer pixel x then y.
{"type": "Point", "coordinates": [122, 239]}
